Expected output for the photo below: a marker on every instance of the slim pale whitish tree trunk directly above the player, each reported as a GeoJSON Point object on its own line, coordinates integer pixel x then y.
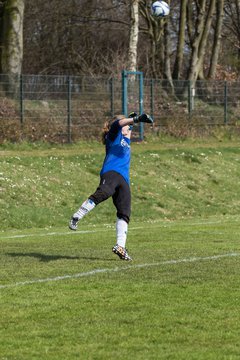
{"type": "Point", "coordinates": [133, 41]}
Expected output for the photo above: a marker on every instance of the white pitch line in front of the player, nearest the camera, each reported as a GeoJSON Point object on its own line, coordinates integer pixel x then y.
{"type": "Point", "coordinates": [118, 269]}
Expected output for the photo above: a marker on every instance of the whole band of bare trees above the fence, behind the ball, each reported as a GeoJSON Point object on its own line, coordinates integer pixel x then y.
{"type": "Point", "coordinates": [199, 40]}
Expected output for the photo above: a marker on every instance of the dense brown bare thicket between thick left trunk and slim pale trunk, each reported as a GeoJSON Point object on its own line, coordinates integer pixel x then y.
{"type": "Point", "coordinates": [76, 36]}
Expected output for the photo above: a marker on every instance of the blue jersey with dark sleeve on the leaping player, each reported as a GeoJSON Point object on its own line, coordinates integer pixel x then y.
{"type": "Point", "coordinates": [118, 152]}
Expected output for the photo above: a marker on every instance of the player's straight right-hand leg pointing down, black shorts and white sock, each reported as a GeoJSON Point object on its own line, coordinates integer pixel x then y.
{"type": "Point", "coordinates": [122, 201]}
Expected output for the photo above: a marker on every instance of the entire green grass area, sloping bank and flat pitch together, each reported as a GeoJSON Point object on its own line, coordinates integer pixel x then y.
{"type": "Point", "coordinates": [64, 295]}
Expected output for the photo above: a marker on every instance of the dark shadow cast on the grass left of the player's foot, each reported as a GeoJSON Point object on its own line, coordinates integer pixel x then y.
{"type": "Point", "coordinates": [48, 258]}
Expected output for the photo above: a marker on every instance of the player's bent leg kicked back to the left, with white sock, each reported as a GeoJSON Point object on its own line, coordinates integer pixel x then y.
{"type": "Point", "coordinates": [105, 190]}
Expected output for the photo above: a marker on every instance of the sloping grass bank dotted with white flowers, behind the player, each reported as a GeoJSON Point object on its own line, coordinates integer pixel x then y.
{"type": "Point", "coordinates": [42, 187]}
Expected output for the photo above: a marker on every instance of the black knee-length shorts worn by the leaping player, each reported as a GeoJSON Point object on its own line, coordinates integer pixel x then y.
{"type": "Point", "coordinates": [114, 185]}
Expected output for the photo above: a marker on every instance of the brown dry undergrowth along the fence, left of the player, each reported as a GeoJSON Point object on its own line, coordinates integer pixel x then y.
{"type": "Point", "coordinates": [50, 125]}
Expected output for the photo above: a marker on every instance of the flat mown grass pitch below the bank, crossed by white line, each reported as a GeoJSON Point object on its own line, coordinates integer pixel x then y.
{"type": "Point", "coordinates": [162, 310]}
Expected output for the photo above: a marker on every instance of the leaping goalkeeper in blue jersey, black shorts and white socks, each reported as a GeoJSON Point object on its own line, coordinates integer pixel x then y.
{"type": "Point", "coordinates": [114, 177]}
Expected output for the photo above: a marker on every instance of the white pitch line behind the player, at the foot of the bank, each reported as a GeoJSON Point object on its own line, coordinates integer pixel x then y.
{"type": "Point", "coordinates": [109, 227]}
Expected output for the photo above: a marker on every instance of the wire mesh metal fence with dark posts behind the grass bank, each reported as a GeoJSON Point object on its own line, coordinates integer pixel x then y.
{"type": "Point", "coordinates": [69, 108]}
